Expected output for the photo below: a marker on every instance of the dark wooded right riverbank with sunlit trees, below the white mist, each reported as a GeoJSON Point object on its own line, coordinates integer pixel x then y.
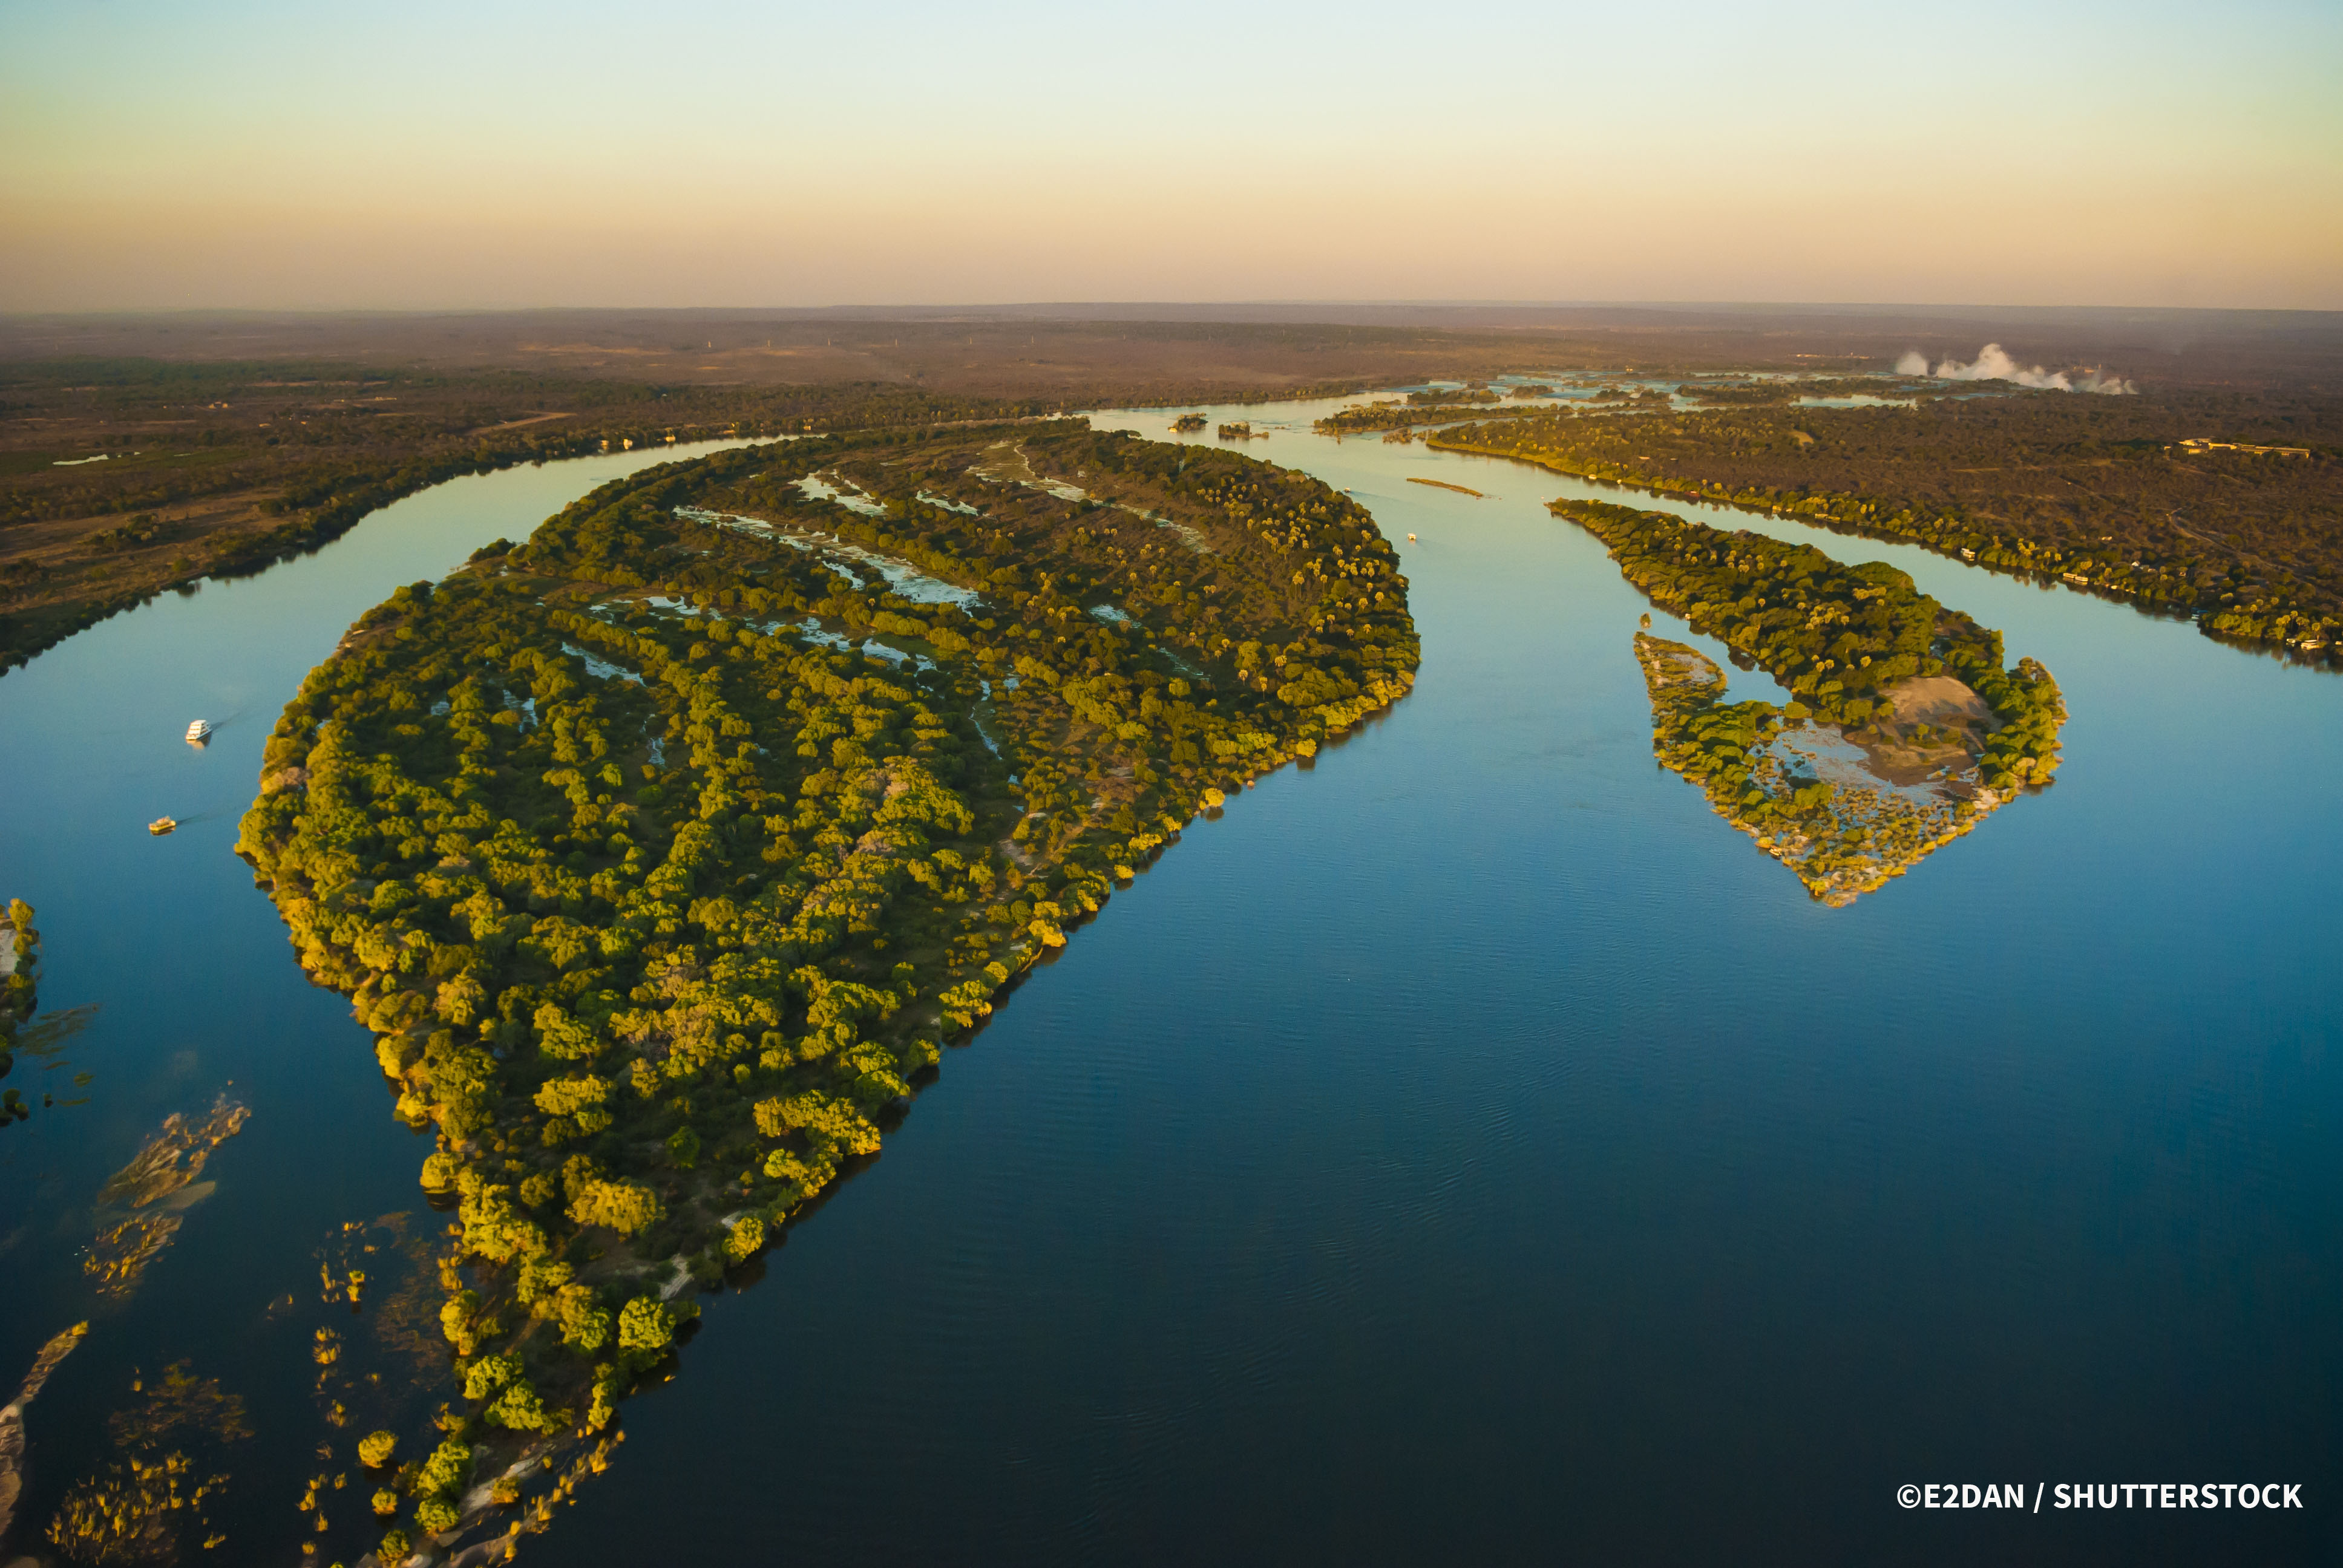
{"type": "Point", "coordinates": [2079, 491]}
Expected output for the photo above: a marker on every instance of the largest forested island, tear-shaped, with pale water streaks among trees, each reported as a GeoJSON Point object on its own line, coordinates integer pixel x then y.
{"type": "Point", "coordinates": [667, 850]}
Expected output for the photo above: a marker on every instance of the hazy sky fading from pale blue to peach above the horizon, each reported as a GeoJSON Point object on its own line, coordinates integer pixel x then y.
{"type": "Point", "coordinates": [685, 154]}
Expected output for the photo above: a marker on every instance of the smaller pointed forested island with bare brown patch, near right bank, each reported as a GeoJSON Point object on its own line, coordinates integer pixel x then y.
{"type": "Point", "coordinates": [1906, 728]}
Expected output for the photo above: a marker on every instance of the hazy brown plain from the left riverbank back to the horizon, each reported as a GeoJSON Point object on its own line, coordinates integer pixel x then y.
{"type": "Point", "coordinates": [226, 442]}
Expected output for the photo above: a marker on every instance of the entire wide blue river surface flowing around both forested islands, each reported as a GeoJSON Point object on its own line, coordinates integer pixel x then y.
{"type": "Point", "coordinates": [1466, 1150]}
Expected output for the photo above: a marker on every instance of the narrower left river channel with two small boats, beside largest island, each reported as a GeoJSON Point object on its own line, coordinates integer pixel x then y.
{"type": "Point", "coordinates": [198, 995]}
